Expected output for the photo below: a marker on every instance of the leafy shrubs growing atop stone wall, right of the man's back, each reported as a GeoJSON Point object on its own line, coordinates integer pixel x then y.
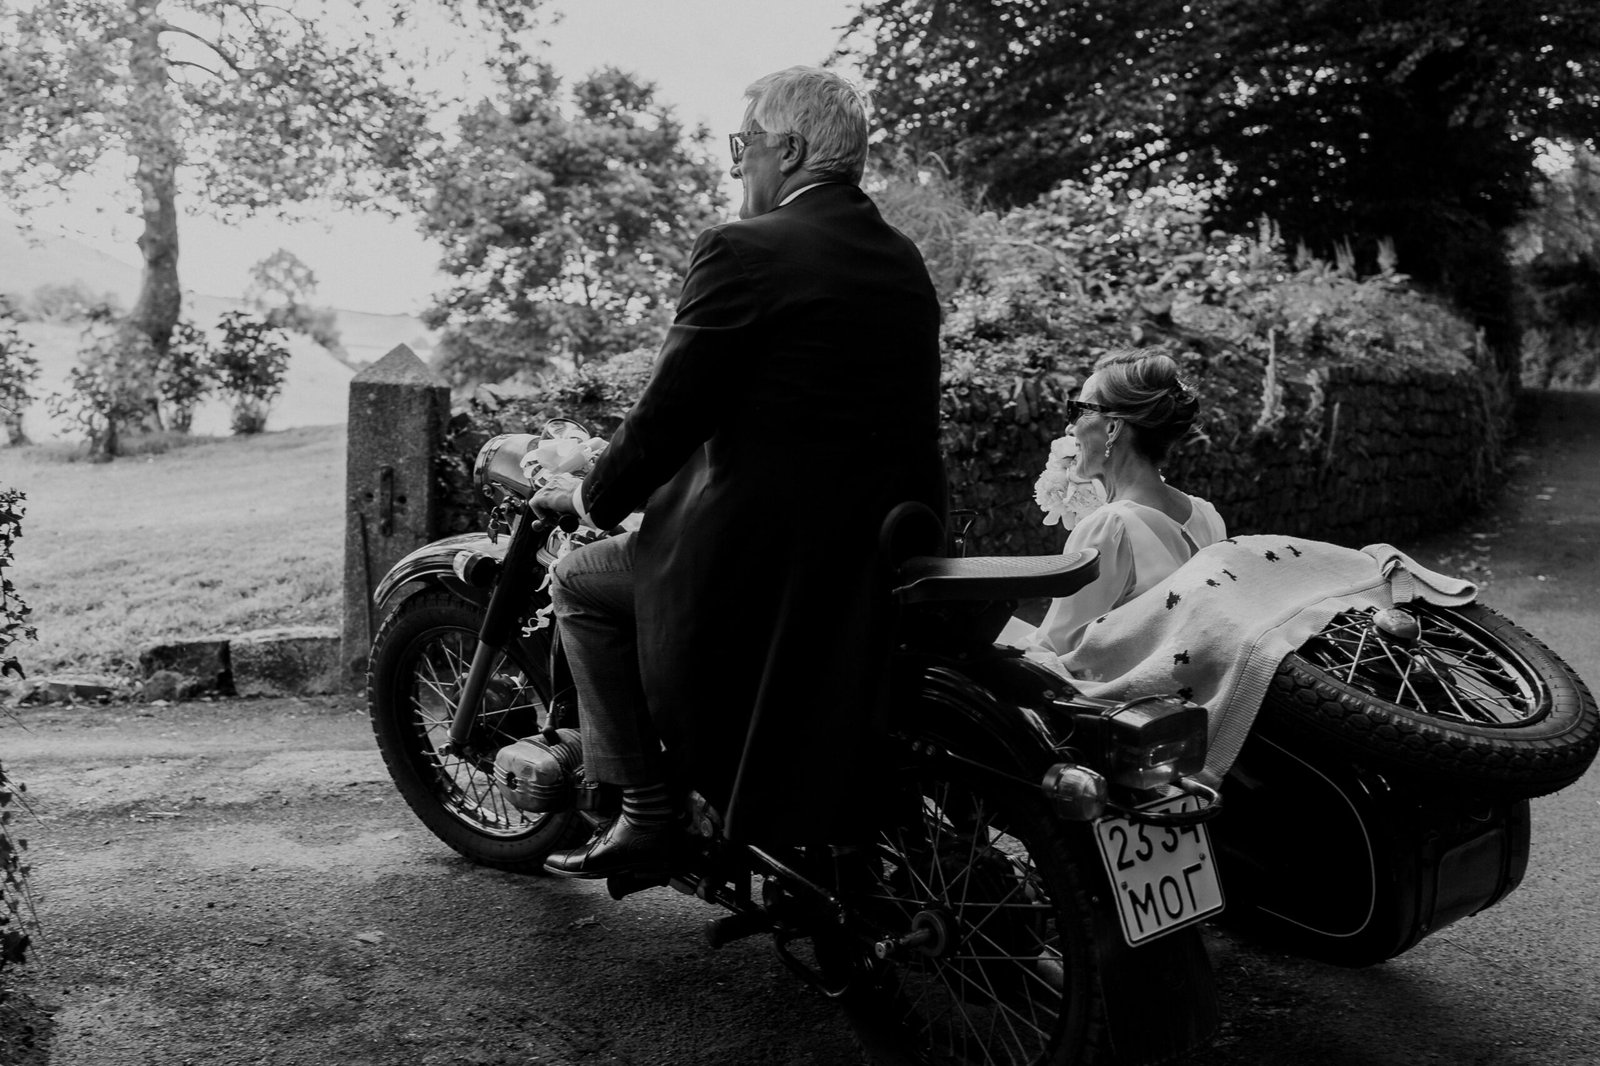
{"type": "Point", "coordinates": [1084, 271]}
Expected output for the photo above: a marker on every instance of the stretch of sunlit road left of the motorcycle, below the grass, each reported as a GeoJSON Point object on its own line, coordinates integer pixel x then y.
{"type": "Point", "coordinates": [239, 883]}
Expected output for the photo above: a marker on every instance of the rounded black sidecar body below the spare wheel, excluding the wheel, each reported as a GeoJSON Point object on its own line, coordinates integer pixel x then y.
{"type": "Point", "coordinates": [1337, 862]}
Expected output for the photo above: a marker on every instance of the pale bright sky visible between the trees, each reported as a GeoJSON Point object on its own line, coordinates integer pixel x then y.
{"type": "Point", "coordinates": [700, 54]}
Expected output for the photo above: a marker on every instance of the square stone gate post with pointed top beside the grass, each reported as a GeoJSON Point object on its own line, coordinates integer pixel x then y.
{"type": "Point", "coordinates": [399, 411]}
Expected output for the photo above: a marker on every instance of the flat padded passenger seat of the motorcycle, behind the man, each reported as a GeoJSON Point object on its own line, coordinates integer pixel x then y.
{"type": "Point", "coordinates": [927, 579]}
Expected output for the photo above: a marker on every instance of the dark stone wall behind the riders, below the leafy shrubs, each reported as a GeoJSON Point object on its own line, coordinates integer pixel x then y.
{"type": "Point", "coordinates": [1354, 454]}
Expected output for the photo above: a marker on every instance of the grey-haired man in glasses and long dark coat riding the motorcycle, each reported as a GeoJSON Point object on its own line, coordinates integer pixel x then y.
{"type": "Point", "coordinates": [737, 644]}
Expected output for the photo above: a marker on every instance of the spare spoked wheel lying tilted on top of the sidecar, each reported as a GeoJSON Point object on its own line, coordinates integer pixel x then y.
{"type": "Point", "coordinates": [1471, 702]}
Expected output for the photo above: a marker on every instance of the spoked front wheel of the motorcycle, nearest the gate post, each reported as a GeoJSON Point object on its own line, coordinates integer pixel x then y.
{"type": "Point", "coordinates": [418, 665]}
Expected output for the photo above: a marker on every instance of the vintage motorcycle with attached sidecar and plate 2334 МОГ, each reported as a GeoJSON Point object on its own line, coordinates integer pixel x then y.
{"type": "Point", "coordinates": [1042, 860]}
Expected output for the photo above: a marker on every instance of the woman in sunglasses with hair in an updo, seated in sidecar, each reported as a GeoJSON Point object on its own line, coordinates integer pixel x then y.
{"type": "Point", "coordinates": [1129, 415]}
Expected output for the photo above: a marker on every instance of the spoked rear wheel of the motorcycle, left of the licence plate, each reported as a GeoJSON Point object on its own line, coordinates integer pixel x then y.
{"type": "Point", "coordinates": [1001, 984]}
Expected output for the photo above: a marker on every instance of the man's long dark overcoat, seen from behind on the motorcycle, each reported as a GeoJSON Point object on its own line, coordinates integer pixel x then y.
{"type": "Point", "coordinates": [794, 403]}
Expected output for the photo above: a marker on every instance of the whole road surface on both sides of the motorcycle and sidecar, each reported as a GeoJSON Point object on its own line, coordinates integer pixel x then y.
{"type": "Point", "coordinates": [239, 883]}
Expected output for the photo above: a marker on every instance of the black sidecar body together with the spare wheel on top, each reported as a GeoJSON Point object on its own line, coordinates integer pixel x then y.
{"type": "Point", "coordinates": [1383, 793]}
